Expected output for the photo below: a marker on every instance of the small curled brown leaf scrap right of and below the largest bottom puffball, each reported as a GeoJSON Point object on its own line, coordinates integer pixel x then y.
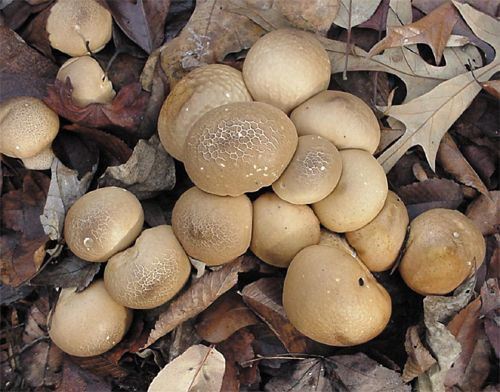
{"type": "Point", "coordinates": [419, 358]}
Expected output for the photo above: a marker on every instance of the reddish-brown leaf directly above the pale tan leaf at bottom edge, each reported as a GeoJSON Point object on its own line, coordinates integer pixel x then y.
{"type": "Point", "coordinates": [224, 317]}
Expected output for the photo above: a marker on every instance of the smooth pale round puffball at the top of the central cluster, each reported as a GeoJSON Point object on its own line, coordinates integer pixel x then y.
{"type": "Point", "coordinates": [285, 67]}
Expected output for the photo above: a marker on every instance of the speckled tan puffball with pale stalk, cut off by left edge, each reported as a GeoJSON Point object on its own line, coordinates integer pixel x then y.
{"type": "Point", "coordinates": [27, 129]}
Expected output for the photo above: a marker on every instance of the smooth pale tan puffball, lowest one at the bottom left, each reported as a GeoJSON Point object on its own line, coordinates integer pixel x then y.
{"type": "Point", "coordinates": [88, 323]}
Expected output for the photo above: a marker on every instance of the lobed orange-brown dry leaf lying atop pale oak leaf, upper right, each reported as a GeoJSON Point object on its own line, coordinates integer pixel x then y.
{"type": "Point", "coordinates": [433, 30]}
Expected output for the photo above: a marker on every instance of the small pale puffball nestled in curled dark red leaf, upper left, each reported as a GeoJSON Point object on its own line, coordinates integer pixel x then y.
{"type": "Point", "coordinates": [90, 83]}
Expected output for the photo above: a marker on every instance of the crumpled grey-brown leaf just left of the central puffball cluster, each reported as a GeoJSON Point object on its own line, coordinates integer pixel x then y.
{"type": "Point", "coordinates": [149, 170]}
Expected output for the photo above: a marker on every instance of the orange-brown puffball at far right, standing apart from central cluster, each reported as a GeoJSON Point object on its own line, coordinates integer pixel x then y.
{"type": "Point", "coordinates": [444, 248]}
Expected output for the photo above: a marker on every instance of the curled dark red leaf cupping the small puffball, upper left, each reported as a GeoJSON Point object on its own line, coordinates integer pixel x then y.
{"type": "Point", "coordinates": [125, 111]}
